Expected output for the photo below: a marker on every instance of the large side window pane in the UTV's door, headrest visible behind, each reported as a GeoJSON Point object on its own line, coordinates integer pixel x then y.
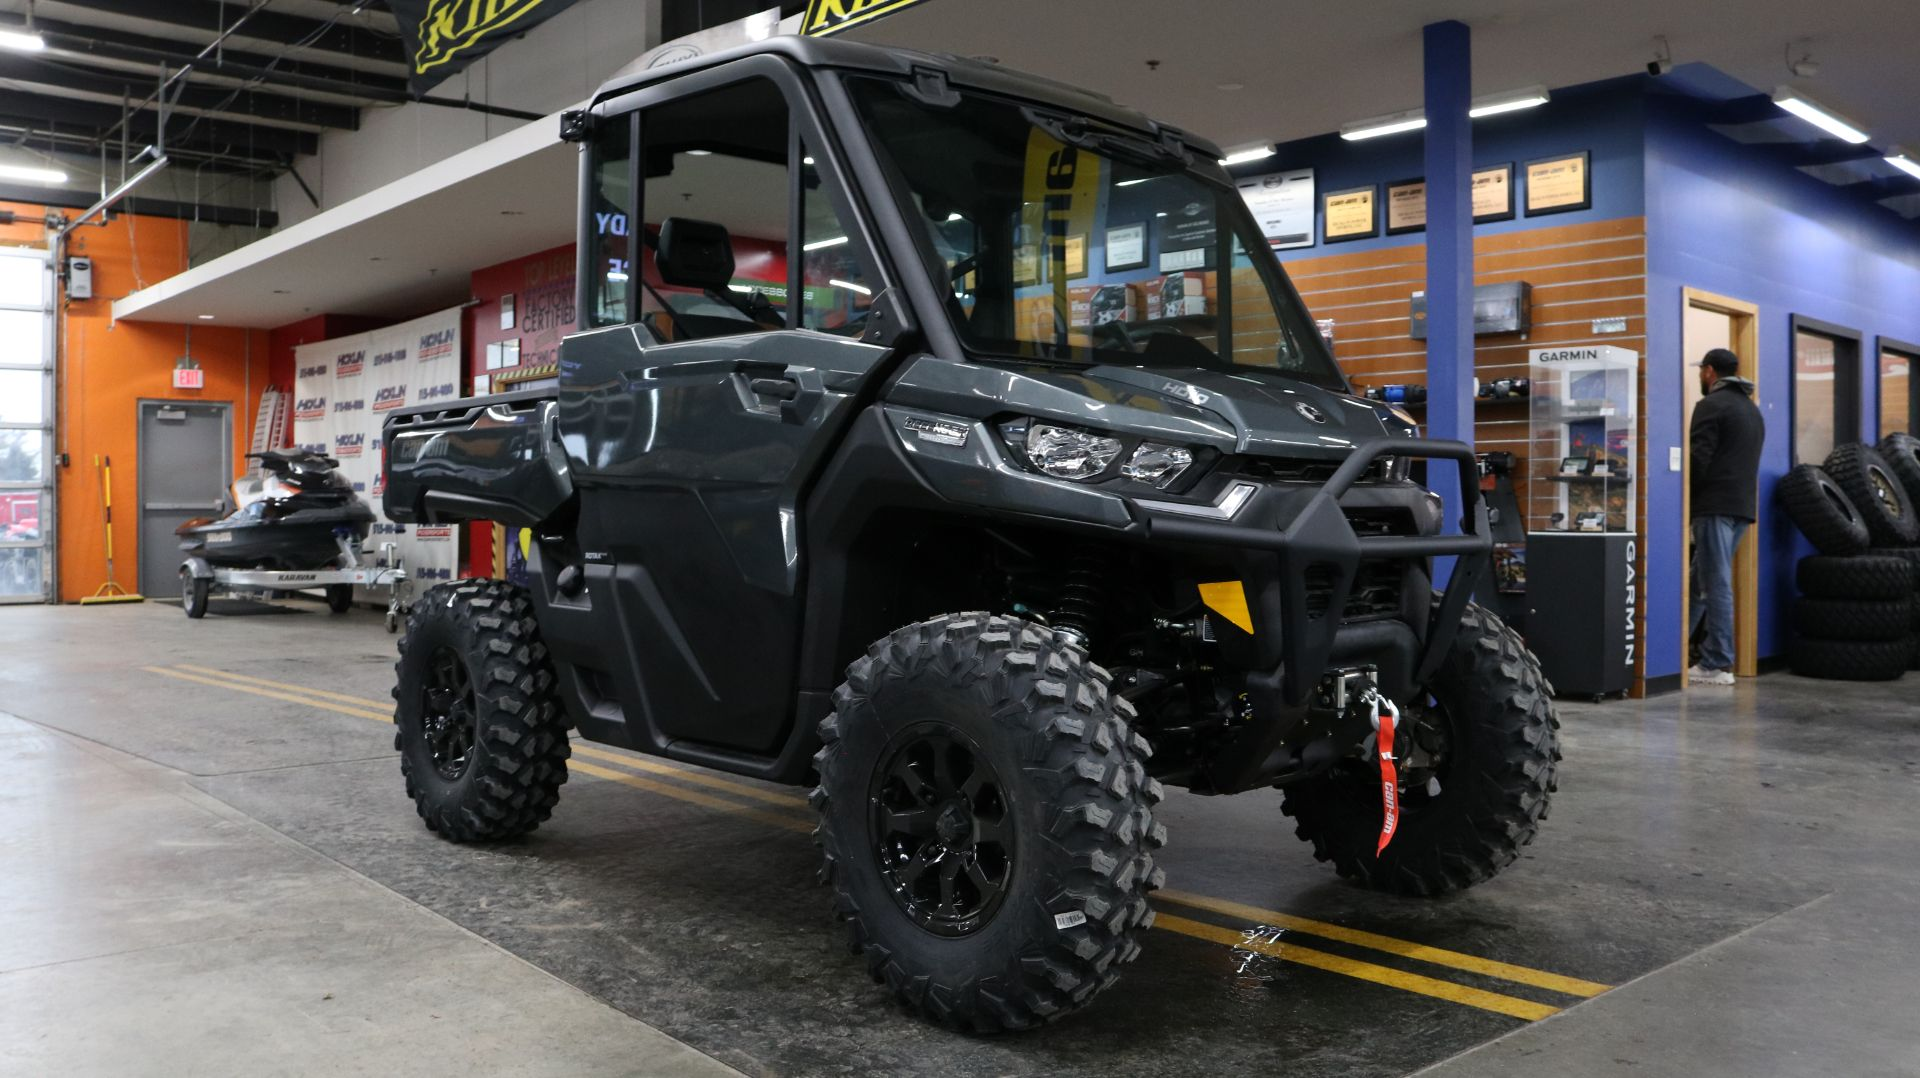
{"type": "Point", "coordinates": [717, 159]}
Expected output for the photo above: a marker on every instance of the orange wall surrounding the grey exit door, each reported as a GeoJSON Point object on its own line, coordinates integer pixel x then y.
{"type": "Point", "coordinates": [107, 370]}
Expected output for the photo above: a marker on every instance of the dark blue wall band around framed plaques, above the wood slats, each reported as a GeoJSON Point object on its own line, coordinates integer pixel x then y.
{"type": "Point", "coordinates": [1602, 118]}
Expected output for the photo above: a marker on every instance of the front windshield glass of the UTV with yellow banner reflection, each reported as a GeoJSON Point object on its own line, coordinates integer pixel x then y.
{"type": "Point", "coordinates": [1070, 241]}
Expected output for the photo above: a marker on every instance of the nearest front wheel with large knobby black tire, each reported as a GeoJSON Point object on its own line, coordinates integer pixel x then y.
{"type": "Point", "coordinates": [1074, 798]}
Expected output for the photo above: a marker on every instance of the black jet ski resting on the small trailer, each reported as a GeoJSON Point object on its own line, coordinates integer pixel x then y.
{"type": "Point", "coordinates": [289, 518]}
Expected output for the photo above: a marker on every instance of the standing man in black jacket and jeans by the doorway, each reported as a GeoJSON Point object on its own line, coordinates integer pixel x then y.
{"type": "Point", "coordinates": [1727, 460]}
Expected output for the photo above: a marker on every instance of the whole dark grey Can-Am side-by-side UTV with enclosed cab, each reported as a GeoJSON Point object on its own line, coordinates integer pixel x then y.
{"type": "Point", "coordinates": [951, 441]}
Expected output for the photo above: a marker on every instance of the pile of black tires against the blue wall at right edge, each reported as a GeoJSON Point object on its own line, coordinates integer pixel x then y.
{"type": "Point", "coordinates": [1858, 616]}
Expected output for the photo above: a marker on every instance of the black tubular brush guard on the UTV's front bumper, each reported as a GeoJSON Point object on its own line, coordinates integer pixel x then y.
{"type": "Point", "coordinates": [1318, 541]}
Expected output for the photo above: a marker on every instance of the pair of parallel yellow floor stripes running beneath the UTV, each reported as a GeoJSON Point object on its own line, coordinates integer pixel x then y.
{"type": "Point", "coordinates": [1466, 996]}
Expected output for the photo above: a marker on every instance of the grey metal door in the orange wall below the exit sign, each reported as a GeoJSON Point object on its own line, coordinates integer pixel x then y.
{"type": "Point", "coordinates": [185, 468]}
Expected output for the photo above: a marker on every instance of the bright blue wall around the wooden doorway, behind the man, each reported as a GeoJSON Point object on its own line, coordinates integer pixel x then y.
{"type": "Point", "coordinates": [1739, 222]}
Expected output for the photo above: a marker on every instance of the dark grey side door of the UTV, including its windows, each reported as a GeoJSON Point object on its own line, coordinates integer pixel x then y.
{"type": "Point", "coordinates": [731, 358]}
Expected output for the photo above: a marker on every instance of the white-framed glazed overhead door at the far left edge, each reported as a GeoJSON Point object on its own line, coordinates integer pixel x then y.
{"type": "Point", "coordinates": [26, 426]}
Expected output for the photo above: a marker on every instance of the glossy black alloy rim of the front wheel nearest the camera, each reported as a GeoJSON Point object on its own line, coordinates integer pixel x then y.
{"type": "Point", "coordinates": [942, 831]}
